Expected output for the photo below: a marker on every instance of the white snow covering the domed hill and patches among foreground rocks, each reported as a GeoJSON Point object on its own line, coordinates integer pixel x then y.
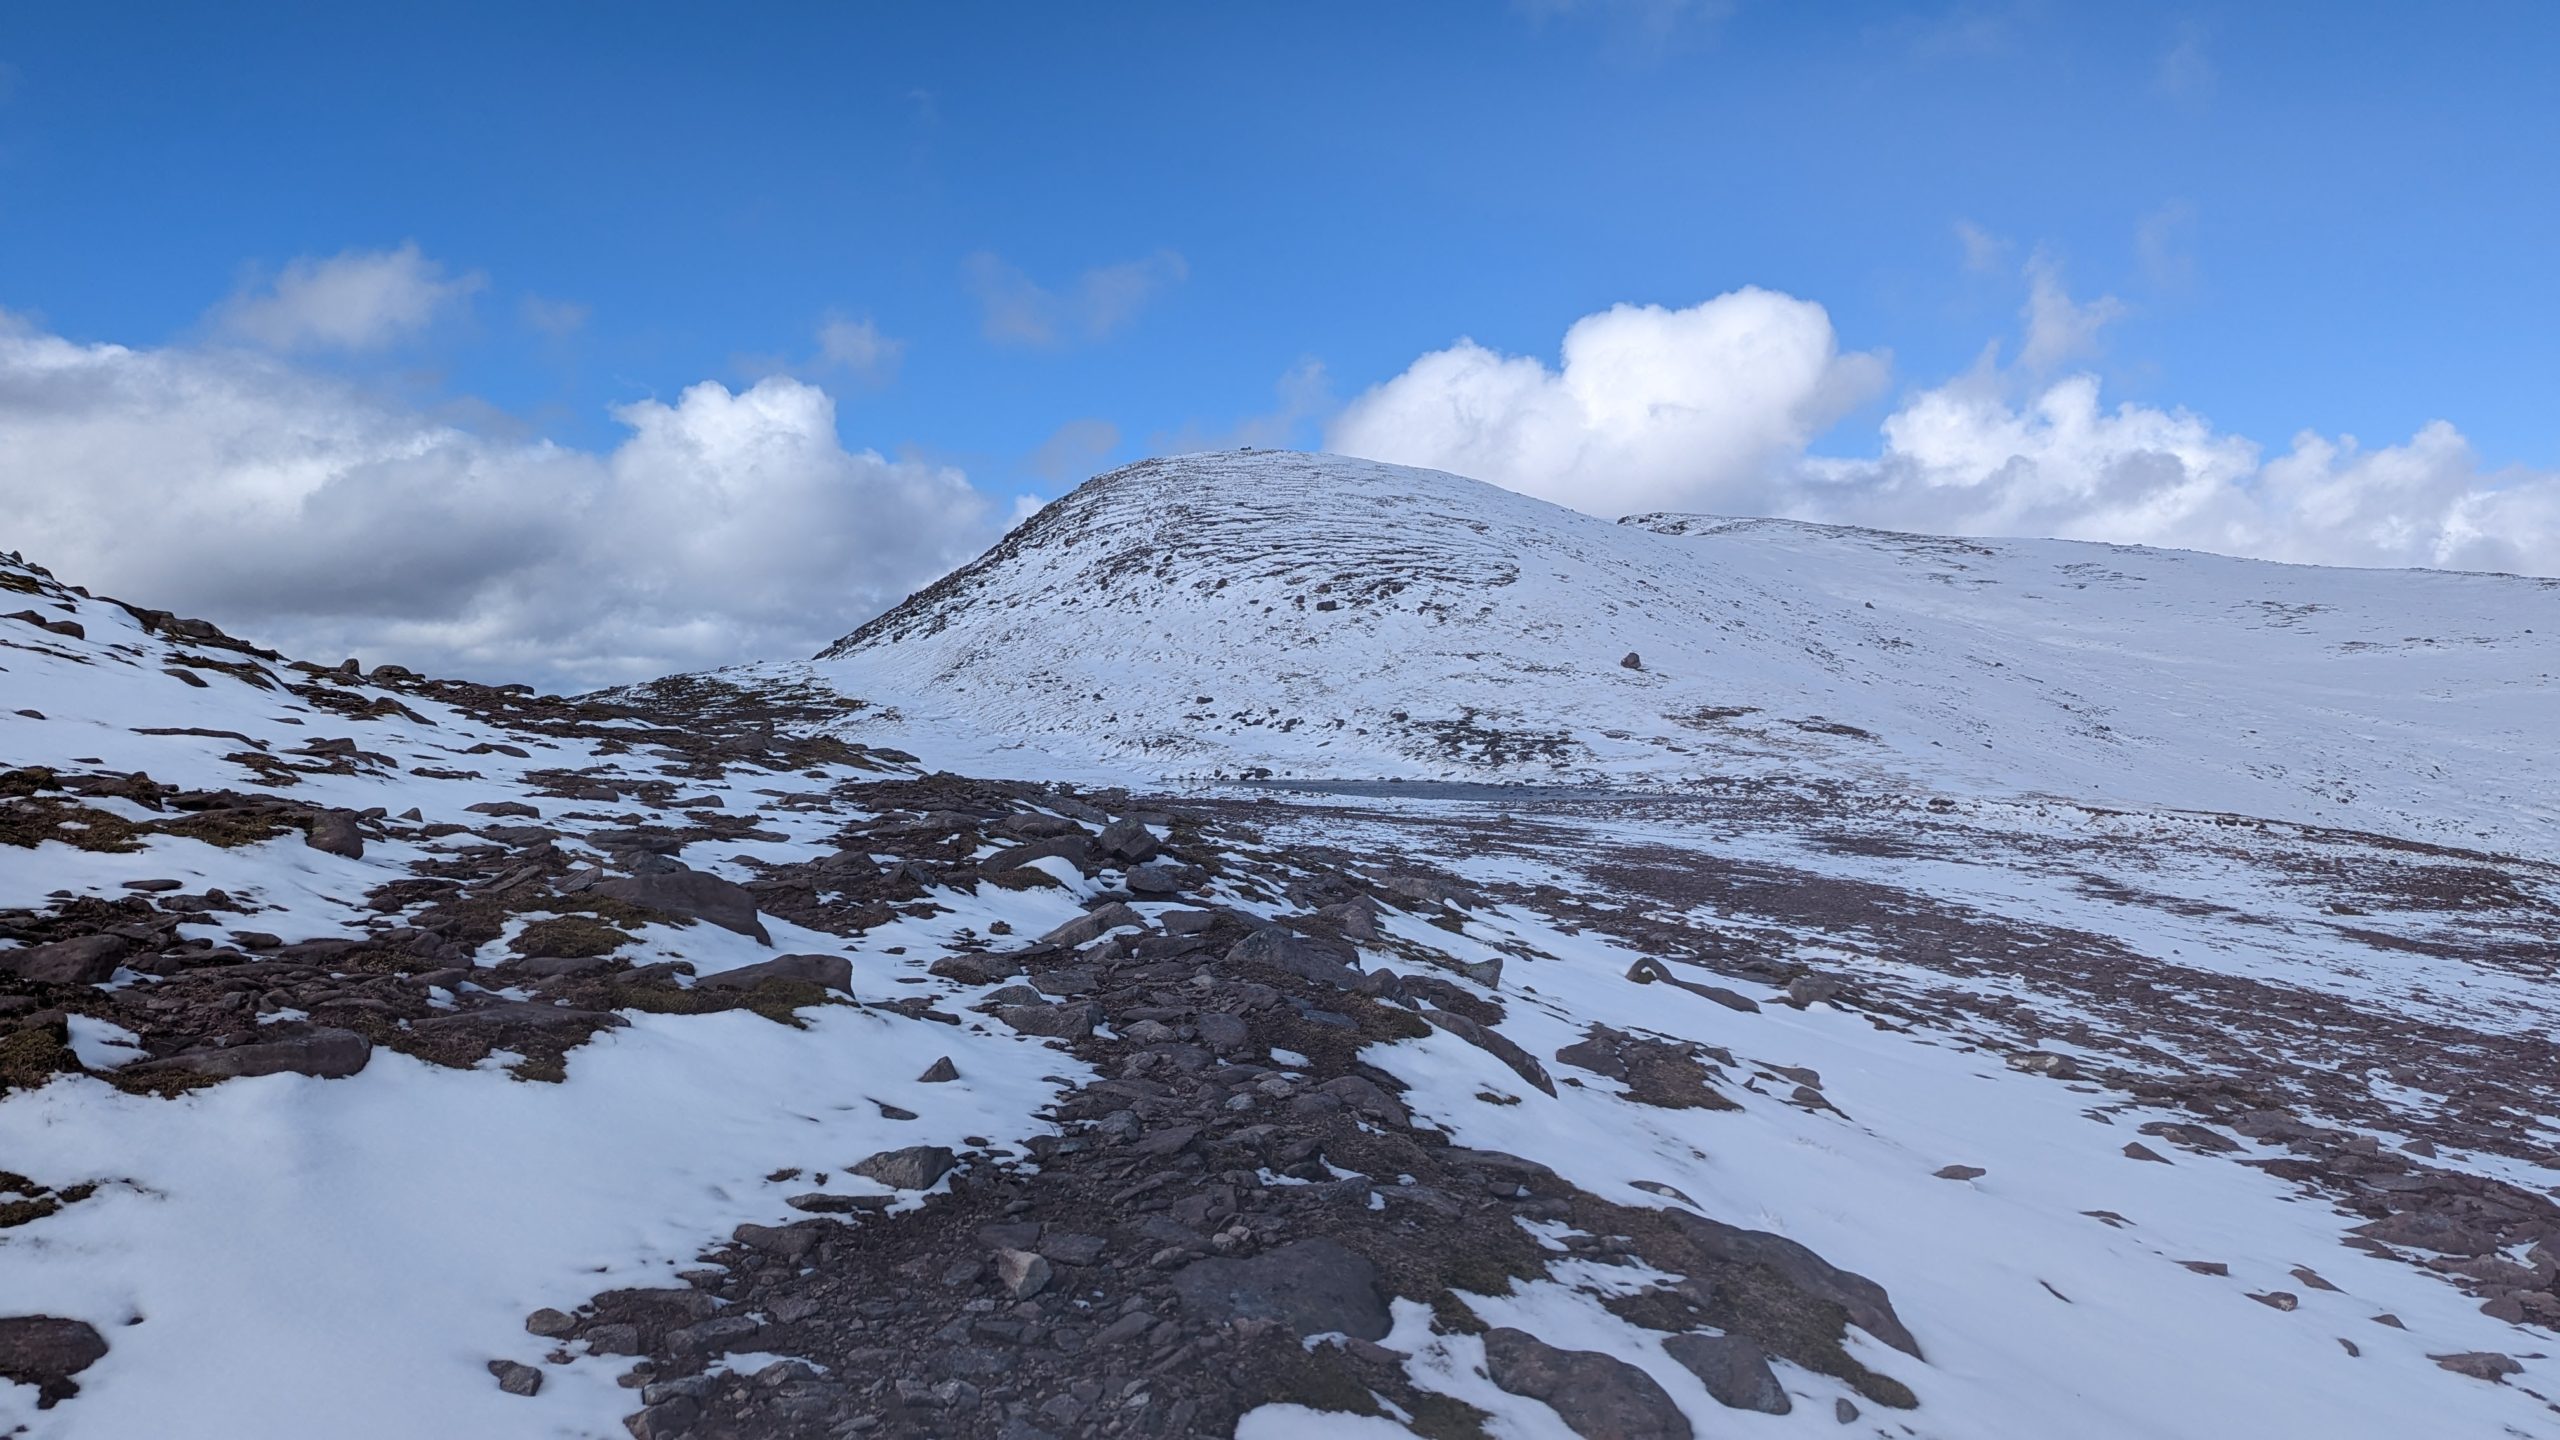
{"type": "Point", "coordinates": [1975, 783]}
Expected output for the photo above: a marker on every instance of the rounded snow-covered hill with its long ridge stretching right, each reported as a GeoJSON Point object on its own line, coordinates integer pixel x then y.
{"type": "Point", "coordinates": [1315, 616]}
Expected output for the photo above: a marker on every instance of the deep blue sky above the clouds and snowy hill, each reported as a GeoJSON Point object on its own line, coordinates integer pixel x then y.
{"type": "Point", "coordinates": [1197, 224]}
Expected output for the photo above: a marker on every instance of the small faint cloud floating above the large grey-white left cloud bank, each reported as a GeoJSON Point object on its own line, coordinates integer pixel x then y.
{"type": "Point", "coordinates": [355, 301]}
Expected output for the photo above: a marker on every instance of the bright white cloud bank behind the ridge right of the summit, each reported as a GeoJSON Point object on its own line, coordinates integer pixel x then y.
{"type": "Point", "coordinates": [1716, 409]}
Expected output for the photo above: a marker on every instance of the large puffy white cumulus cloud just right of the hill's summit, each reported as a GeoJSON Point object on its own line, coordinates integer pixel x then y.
{"type": "Point", "coordinates": [1650, 409]}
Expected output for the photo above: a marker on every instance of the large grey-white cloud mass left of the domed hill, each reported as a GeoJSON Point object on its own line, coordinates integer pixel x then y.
{"type": "Point", "coordinates": [324, 519]}
